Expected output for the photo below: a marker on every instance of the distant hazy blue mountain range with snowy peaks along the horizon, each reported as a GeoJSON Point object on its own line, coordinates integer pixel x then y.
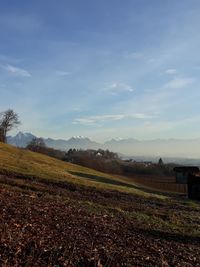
{"type": "Point", "coordinates": [130, 147]}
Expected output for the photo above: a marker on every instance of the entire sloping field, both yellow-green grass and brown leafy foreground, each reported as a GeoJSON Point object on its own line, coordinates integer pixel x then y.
{"type": "Point", "coordinates": [59, 214]}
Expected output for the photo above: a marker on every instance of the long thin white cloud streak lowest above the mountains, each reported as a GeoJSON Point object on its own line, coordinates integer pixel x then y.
{"type": "Point", "coordinates": [93, 120]}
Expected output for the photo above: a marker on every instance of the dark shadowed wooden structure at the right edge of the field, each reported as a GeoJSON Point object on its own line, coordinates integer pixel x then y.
{"type": "Point", "coordinates": [189, 175]}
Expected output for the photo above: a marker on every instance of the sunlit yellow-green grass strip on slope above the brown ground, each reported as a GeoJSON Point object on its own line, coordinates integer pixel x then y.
{"type": "Point", "coordinates": [16, 161]}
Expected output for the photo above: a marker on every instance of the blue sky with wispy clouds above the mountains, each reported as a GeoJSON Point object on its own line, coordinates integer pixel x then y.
{"type": "Point", "coordinates": [102, 68]}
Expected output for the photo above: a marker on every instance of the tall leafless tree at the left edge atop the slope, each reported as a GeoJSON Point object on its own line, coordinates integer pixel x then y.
{"type": "Point", "coordinates": [8, 120]}
